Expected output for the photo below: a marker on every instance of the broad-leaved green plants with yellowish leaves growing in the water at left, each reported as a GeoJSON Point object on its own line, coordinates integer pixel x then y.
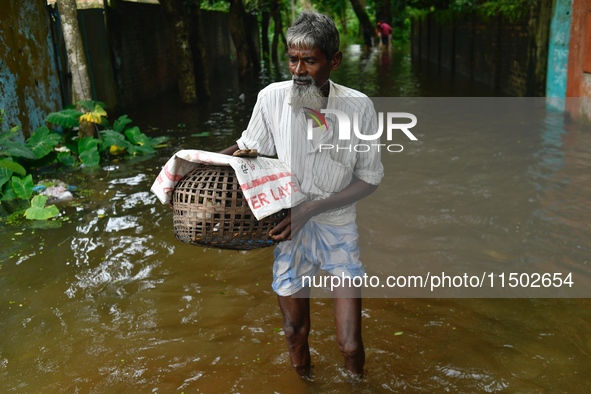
{"type": "Point", "coordinates": [74, 139]}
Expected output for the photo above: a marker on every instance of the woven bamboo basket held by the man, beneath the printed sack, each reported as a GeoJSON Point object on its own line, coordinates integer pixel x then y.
{"type": "Point", "coordinates": [209, 209]}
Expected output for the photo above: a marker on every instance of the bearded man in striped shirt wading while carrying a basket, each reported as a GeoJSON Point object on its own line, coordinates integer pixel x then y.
{"type": "Point", "coordinates": [320, 233]}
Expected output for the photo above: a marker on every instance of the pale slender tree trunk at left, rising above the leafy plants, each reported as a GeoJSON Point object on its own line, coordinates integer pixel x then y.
{"type": "Point", "coordinates": [81, 88]}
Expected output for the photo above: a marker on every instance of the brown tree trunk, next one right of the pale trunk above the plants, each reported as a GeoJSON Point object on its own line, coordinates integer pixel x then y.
{"type": "Point", "coordinates": [180, 27]}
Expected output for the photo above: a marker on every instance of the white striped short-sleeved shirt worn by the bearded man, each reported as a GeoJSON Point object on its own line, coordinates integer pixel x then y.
{"type": "Point", "coordinates": [276, 129]}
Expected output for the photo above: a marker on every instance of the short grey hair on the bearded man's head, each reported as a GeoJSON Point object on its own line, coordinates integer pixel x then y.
{"type": "Point", "coordinates": [313, 29]}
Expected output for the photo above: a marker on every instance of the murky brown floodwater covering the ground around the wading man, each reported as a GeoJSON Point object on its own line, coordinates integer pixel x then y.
{"type": "Point", "coordinates": [112, 303]}
